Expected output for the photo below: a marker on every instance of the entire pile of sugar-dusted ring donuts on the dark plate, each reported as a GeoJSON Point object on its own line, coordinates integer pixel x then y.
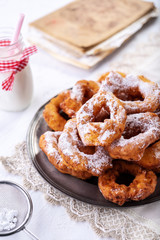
{"type": "Point", "coordinates": [114, 130]}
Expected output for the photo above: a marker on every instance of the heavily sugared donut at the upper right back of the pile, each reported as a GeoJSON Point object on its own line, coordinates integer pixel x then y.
{"type": "Point", "coordinates": [138, 94]}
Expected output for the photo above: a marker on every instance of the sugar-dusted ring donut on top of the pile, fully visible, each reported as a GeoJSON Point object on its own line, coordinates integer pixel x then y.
{"type": "Point", "coordinates": [95, 133]}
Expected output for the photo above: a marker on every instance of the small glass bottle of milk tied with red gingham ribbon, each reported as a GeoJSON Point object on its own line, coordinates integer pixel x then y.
{"type": "Point", "coordinates": [20, 96]}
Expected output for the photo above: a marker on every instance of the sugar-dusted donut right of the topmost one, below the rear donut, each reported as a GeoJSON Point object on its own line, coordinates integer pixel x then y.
{"type": "Point", "coordinates": [141, 130]}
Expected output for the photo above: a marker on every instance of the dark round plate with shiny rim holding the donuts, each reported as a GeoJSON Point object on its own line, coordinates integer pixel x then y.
{"type": "Point", "coordinates": [86, 191]}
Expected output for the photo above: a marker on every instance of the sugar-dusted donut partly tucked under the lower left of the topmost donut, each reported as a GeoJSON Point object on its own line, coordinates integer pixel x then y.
{"type": "Point", "coordinates": [94, 160]}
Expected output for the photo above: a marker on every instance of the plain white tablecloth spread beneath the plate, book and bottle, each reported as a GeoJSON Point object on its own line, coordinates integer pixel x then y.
{"type": "Point", "coordinates": [50, 77]}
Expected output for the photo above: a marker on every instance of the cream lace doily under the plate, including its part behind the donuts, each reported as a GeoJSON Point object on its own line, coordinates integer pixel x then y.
{"type": "Point", "coordinates": [122, 224]}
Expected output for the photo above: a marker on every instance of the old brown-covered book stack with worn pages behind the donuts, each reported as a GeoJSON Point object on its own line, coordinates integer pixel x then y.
{"type": "Point", "coordinates": [86, 31]}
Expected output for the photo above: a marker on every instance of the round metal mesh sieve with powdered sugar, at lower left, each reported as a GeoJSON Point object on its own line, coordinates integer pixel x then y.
{"type": "Point", "coordinates": [13, 196]}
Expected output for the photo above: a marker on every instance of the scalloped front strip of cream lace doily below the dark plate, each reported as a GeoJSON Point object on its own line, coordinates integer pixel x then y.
{"type": "Point", "coordinates": [121, 224]}
